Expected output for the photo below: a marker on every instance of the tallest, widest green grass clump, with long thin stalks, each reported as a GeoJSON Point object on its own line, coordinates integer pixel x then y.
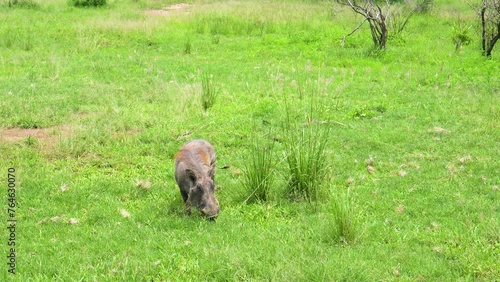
{"type": "Point", "coordinates": [306, 156]}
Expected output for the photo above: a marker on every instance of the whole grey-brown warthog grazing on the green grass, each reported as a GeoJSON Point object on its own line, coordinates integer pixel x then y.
{"type": "Point", "coordinates": [194, 173]}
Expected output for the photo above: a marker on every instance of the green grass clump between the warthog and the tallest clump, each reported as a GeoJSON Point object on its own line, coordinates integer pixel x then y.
{"type": "Point", "coordinates": [259, 172]}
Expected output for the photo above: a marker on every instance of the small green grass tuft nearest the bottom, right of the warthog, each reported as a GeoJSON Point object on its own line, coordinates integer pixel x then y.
{"type": "Point", "coordinates": [343, 222]}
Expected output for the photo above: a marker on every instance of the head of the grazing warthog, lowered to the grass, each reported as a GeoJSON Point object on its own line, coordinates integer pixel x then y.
{"type": "Point", "coordinates": [201, 195]}
